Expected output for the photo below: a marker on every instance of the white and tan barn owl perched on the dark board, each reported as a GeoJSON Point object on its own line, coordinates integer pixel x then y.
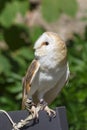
{"type": "Point", "coordinates": [48, 72]}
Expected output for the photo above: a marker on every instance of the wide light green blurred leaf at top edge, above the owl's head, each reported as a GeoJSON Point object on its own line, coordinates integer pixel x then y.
{"type": "Point", "coordinates": [52, 10]}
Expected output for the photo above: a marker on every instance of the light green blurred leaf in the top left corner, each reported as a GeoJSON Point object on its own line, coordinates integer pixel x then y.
{"type": "Point", "coordinates": [11, 10]}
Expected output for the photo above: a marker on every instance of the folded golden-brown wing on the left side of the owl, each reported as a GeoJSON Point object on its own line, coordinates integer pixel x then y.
{"type": "Point", "coordinates": [28, 79]}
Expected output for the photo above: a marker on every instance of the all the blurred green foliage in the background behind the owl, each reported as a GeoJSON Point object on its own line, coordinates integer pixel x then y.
{"type": "Point", "coordinates": [15, 60]}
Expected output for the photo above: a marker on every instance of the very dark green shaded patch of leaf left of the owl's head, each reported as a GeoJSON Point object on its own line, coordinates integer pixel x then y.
{"type": "Point", "coordinates": [15, 37]}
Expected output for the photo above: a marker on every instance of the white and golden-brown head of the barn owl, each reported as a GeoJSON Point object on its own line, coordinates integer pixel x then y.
{"type": "Point", "coordinates": [50, 45]}
